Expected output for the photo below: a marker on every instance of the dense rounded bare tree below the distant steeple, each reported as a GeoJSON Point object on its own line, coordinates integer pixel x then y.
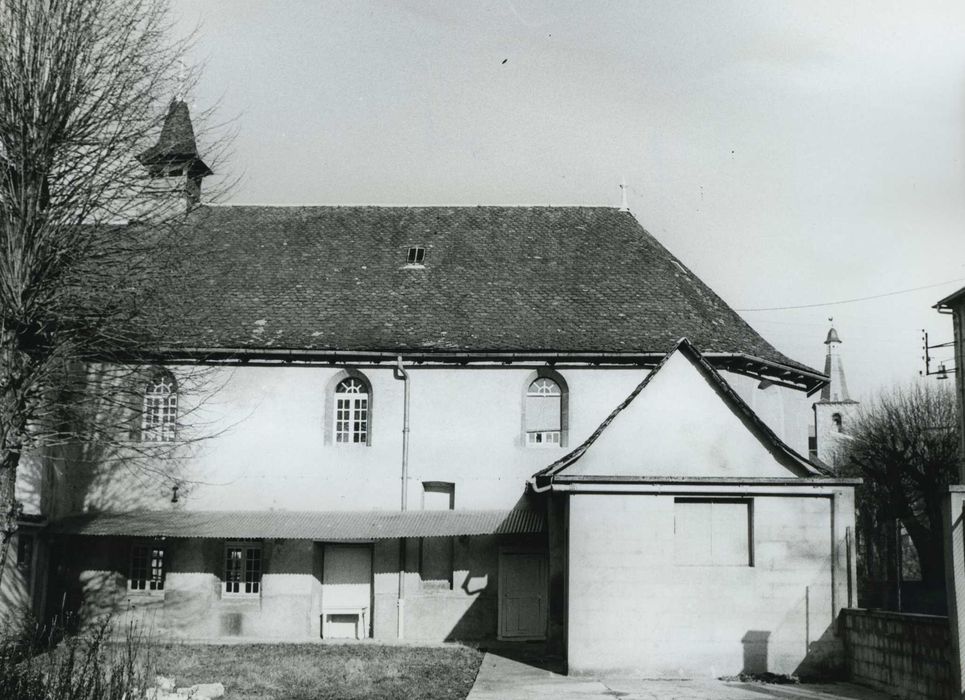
{"type": "Point", "coordinates": [905, 446]}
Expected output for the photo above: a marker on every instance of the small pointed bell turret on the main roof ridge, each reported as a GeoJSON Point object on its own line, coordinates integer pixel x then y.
{"type": "Point", "coordinates": [176, 153]}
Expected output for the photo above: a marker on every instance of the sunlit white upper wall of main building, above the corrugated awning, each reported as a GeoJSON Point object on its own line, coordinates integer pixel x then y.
{"type": "Point", "coordinates": [264, 441]}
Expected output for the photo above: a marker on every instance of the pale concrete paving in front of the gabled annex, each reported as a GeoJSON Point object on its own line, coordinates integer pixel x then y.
{"type": "Point", "coordinates": [501, 678]}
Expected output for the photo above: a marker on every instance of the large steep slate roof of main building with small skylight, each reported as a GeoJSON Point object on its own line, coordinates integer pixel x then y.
{"type": "Point", "coordinates": [495, 279]}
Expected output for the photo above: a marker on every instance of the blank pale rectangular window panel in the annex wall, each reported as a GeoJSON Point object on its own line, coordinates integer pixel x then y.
{"type": "Point", "coordinates": [712, 532]}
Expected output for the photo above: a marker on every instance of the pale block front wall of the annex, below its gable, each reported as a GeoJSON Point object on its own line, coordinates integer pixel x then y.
{"type": "Point", "coordinates": [632, 608]}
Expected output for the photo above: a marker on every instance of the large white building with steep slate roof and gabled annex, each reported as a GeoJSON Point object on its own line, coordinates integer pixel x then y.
{"type": "Point", "coordinates": [458, 423]}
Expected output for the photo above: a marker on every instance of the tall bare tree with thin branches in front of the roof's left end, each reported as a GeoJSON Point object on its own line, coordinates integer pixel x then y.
{"type": "Point", "coordinates": [85, 86]}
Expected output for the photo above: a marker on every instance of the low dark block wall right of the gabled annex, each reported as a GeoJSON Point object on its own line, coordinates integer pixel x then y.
{"type": "Point", "coordinates": [909, 656]}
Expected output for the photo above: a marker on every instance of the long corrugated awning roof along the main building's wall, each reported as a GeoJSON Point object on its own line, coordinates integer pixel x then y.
{"type": "Point", "coordinates": [350, 525]}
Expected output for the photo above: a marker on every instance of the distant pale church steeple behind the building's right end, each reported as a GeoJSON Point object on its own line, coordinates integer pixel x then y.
{"type": "Point", "coordinates": [834, 411]}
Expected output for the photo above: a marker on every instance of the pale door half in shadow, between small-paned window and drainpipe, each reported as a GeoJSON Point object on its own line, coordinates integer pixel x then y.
{"type": "Point", "coordinates": [346, 590]}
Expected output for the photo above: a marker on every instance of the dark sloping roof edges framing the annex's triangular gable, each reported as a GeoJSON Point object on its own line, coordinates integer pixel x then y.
{"type": "Point", "coordinates": [788, 456]}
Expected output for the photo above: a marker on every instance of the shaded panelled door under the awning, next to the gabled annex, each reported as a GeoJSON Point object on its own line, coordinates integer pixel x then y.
{"type": "Point", "coordinates": [522, 595]}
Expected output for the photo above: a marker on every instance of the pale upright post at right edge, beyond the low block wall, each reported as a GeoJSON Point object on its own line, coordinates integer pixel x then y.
{"type": "Point", "coordinates": [954, 535]}
